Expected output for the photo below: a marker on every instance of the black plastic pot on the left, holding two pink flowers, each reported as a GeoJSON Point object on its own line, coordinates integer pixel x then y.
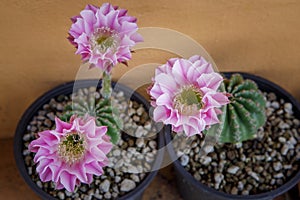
{"type": "Point", "coordinates": [67, 89]}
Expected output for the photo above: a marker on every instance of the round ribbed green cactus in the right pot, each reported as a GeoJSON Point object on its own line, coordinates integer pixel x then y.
{"type": "Point", "coordinates": [245, 113]}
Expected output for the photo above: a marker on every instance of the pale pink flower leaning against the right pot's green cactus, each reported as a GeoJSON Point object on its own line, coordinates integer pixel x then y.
{"type": "Point", "coordinates": [184, 94]}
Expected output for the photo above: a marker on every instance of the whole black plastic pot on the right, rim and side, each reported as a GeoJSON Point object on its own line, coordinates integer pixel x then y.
{"type": "Point", "coordinates": [191, 189]}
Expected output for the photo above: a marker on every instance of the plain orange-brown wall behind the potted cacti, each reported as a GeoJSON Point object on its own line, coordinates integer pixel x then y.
{"type": "Point", "coordinates": [258, 36]}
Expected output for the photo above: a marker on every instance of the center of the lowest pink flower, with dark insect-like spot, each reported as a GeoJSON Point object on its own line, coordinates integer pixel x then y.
{"type": "Point", "coordinates": [72, 147]}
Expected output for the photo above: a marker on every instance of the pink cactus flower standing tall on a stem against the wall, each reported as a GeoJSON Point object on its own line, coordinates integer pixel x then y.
{"type": "Point", "coordinates": [103, 36]}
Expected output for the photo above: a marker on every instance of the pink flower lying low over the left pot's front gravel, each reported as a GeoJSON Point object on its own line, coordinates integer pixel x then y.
{"type": "Point", "coordinates": [72, 153]}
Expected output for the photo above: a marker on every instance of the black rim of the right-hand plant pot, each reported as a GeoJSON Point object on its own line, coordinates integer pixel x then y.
{"type": "Point", "coordinates": [266, 86]}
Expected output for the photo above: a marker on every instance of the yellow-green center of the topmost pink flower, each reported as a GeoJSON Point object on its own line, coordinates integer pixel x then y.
{"type": "Point", "coordinates": [103, 39]}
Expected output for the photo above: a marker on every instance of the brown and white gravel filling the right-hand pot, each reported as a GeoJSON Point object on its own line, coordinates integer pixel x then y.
{"type": "Point", "coordinates": [254, 166]}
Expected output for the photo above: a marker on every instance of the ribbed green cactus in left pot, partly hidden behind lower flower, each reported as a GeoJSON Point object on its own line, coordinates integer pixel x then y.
{"type": "Point", "coordinates": [86, 102]}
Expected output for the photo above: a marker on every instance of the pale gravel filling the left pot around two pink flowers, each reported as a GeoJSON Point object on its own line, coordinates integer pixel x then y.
{"type": "Point", "coordinates": [130, 160]}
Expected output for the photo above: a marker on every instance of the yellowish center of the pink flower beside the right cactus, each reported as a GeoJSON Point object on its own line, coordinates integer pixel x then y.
{"type": "Point", "coordinates": [189, 100]}
